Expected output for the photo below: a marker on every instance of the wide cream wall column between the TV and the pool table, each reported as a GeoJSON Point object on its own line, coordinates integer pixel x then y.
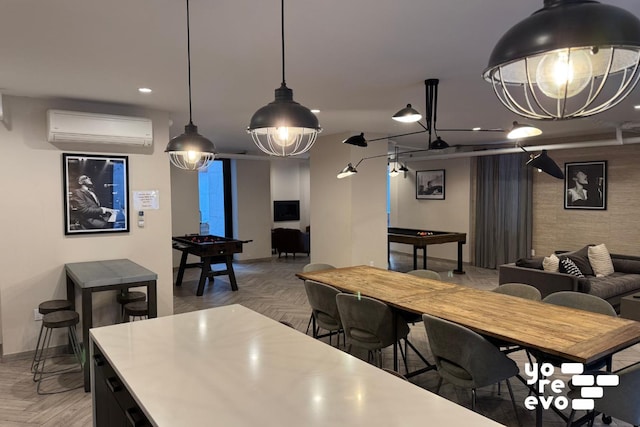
{"type": "Point", "coordinates": [348, 216]}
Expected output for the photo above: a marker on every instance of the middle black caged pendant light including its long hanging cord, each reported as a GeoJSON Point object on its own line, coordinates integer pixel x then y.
{"type": "Point", "coordinates": [284, 127]}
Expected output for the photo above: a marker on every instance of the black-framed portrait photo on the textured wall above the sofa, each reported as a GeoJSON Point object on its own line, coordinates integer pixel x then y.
{"type": "Point", "coordinates": [585, 185]}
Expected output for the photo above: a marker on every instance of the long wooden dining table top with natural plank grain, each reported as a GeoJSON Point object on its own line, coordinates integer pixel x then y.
{"type": "Point", "coordinates": [576, 335]}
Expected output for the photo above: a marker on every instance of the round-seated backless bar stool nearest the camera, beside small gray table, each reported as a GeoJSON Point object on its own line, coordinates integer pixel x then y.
{"type": "Point", "coordinates": [51, 321]}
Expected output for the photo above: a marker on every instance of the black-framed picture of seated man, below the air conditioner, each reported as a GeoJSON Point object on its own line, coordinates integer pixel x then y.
{"type": "Point", "coordinates": [95, 194]}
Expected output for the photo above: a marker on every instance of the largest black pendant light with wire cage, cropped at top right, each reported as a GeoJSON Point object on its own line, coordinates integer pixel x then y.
{"type": "Point", "coordinates": [570, 59]}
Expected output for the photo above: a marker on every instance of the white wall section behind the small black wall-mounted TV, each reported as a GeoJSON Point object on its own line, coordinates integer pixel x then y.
{"type": "Point", "coordinates": [290, 181]}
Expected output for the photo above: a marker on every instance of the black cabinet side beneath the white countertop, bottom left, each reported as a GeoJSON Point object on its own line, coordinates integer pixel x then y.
{"type": "Point", "coordinates": [114, 405]}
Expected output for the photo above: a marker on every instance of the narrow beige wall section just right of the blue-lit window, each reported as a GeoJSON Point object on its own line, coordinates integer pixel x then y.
{"type": "Point", "coordinates": [250, 182]}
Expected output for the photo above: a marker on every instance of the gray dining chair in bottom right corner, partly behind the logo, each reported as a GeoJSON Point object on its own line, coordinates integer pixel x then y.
{"type": "Point", "coordinates": [621, 402]}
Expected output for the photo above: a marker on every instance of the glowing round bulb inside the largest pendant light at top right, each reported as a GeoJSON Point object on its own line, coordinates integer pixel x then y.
{"type": "Point", "coordinates": [564, 72]}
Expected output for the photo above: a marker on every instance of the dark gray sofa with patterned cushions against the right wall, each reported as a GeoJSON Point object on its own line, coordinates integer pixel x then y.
{"type": "Point", "coordinates": [623, 281]}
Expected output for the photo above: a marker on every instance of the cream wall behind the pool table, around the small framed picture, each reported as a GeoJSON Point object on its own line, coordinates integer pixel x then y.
{"type": "Point", "coordinates": [450, 214]}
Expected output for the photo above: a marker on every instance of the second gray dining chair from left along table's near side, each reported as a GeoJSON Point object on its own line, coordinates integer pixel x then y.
{"type": "Point", "coordinates": [369, 324]}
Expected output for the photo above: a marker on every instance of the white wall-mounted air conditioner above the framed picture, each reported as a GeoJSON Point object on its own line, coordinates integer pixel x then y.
{"type": "Point", "coordinates": [74, 126]}
